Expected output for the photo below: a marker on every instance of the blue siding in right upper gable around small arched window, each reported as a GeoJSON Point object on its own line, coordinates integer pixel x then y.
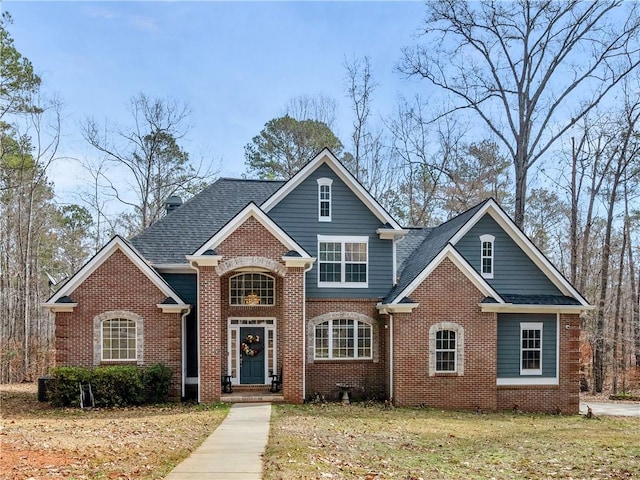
{"type": "Point", "coordinates": [513, 270]}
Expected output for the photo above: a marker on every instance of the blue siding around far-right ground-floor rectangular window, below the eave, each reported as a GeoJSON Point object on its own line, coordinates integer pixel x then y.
{"type": "Point", "coordinates": [509, 344]}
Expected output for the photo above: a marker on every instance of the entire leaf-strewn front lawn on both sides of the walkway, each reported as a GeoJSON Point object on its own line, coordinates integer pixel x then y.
{"type": "Point", "coordinates": [327, 441]}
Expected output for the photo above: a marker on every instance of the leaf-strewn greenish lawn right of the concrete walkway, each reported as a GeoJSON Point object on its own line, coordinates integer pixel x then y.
{"type": "Point", "coordinates": [368, 442]}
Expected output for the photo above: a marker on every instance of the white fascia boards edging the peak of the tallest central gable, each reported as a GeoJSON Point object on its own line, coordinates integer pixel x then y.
{"type": "Point", "coordinates": [325, 156]}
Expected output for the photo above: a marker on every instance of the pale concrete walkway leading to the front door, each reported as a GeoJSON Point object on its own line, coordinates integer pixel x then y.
{"type": "Point", "coordinates": [234, 450]}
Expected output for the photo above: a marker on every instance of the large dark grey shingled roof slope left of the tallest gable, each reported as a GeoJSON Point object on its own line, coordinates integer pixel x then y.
{"type": "Point", "coordinates": [186, 228]}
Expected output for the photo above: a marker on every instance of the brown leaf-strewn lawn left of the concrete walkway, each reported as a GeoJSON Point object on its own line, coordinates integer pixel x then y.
{"type": "Point", "coordinates": [43, 443]}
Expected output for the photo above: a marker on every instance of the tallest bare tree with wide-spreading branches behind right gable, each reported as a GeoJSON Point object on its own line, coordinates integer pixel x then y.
{"type": "Point", "coordinates": [529, 70]}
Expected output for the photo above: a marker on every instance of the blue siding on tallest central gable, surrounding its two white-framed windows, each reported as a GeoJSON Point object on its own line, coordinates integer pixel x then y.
{"type": "Point", "coordinates": [297, 214]}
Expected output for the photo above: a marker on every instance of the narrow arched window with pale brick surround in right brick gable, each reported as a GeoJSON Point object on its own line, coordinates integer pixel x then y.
{"type": "Point", "coordinates": [446, 349]}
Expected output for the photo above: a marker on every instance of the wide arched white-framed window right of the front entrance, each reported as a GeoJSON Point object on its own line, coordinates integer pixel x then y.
{"type": "Point", "coordinates": [343, 339]}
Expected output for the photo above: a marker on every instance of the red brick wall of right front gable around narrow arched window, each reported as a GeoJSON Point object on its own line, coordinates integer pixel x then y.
{"type": "Point", "coordinates": [447, 295]}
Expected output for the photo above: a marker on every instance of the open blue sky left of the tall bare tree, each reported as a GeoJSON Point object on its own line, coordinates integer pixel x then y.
{"type": "Point", "coordinates": [236, 64]}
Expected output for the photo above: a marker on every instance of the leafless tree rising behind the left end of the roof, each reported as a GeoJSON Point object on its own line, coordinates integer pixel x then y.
{"type": "Point", "coordinates": [155, 165]}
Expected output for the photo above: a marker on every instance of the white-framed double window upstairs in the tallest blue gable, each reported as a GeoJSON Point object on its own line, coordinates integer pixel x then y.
{"type": "Point", "coordinates": [343, 261]}
